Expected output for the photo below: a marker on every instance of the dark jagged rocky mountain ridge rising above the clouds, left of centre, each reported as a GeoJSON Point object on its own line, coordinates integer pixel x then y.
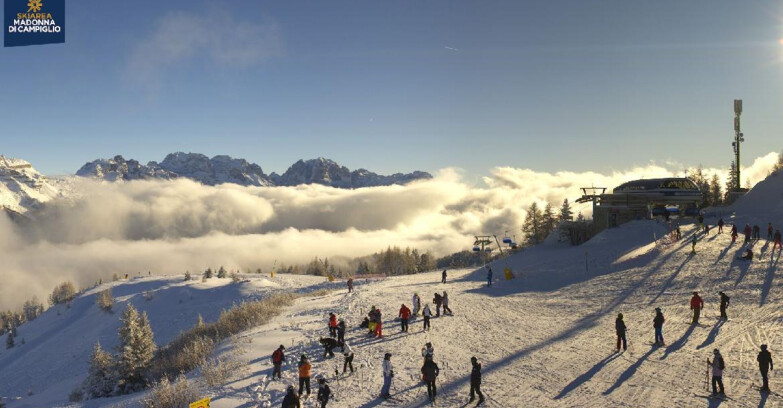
{"type": "Point", "coordinates": [225, 169]}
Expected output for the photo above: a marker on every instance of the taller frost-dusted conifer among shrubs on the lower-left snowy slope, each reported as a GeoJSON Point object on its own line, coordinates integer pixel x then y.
{"type": "Point", "coordinates": [137, 347]}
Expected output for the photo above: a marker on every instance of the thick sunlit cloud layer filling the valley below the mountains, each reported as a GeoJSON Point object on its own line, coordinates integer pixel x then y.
{"type": "Point", "coordinates": [174, 226]}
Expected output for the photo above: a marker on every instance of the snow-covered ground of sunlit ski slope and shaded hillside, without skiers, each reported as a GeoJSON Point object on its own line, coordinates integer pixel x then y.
{"type": "Point", "coordinates": [545, 339]}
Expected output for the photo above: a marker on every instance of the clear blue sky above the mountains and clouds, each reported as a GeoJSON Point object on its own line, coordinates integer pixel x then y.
{"type": "Point", "coordinates": [400, 86]}
